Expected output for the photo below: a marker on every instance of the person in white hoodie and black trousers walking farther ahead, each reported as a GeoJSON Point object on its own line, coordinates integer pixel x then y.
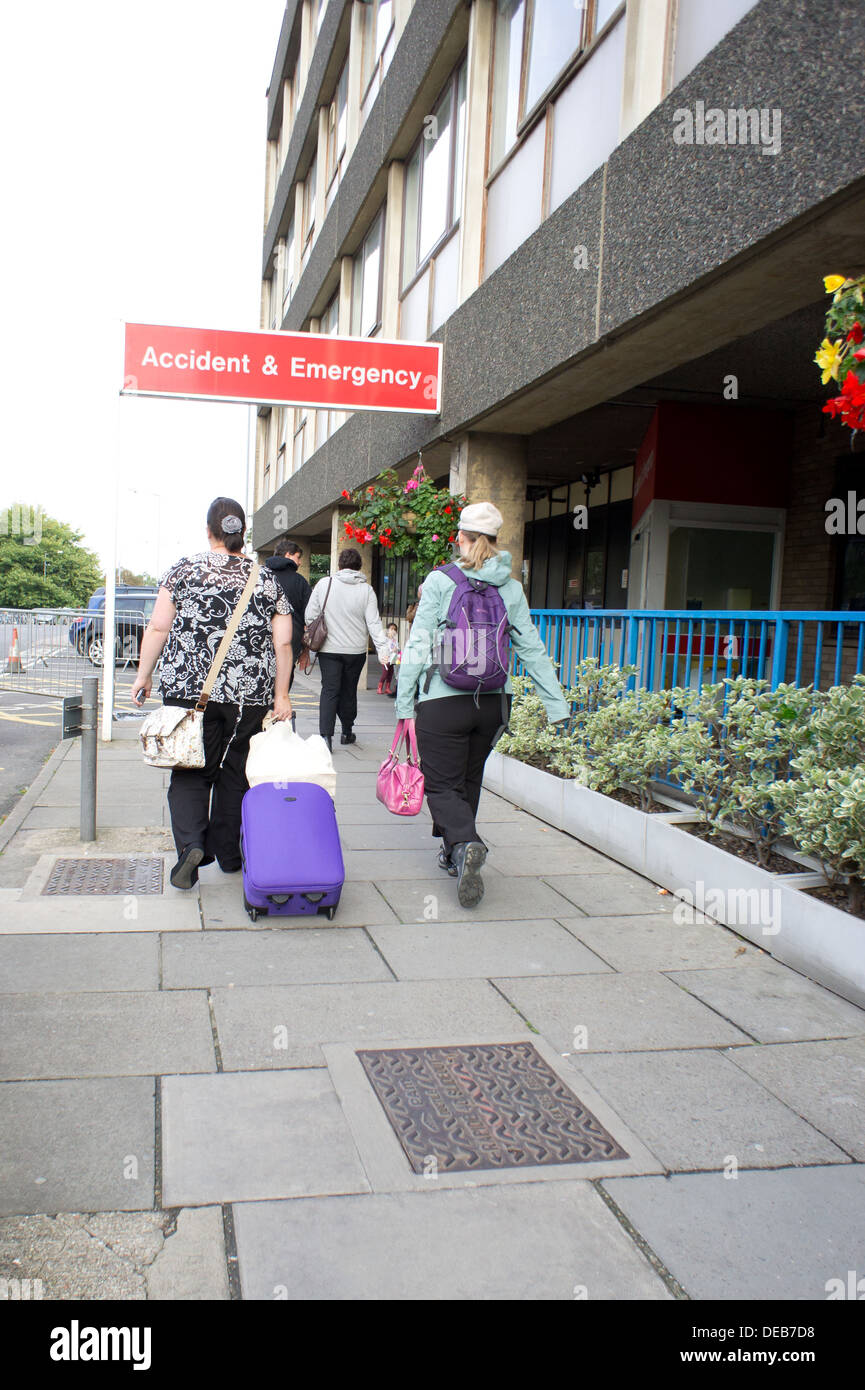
{"type": "Point", "coordinates": [351, 612]}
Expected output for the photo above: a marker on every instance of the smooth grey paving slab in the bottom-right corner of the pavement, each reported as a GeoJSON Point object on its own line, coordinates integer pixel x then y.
{"type": "Point", "coordinates": [764, 1236]}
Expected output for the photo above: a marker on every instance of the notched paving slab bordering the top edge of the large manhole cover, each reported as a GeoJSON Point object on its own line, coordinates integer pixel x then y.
{"type": "Point", "coordinates": [286, 1028]}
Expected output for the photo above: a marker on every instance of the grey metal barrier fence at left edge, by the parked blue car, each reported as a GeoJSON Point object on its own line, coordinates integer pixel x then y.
{"type": "Point", "coordinates": [49, 651]}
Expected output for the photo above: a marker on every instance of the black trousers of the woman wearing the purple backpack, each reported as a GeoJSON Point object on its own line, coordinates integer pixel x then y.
{"type": "Point", "coordinates": [454, 739]}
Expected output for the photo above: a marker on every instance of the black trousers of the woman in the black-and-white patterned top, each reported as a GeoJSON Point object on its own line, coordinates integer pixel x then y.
{"type": "Point", "coordinates": [205, 803]}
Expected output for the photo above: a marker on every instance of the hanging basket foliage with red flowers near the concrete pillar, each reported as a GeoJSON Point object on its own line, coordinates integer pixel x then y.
{"type": "Point", "coordinates": [415, 519]}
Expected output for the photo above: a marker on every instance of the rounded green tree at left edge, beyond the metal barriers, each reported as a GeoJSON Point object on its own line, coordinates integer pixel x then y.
{"type": "Point", "coordinates": [42, 562]}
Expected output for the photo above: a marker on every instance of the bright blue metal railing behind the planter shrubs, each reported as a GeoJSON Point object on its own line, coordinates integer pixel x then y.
{"type": "Point", "coordinates": [695, 648]}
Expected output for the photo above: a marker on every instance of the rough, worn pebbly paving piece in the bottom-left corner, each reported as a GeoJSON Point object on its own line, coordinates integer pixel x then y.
{"type": "Point", "coordinates": [84, 1256]}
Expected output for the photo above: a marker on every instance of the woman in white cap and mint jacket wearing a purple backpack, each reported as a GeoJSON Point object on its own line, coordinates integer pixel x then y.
{"type": "Point", "coordinates": [455, 667]}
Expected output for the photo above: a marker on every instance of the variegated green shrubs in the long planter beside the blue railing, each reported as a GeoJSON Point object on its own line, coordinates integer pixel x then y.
{"type": "Point", "coordinates": [775, 764]}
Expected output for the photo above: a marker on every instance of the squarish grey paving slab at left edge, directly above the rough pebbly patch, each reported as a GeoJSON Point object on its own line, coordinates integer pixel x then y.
{"type": "Point", "coordinates": [77, 1146]}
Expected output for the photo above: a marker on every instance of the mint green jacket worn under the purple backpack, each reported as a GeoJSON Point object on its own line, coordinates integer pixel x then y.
{"type": "Point", "coordinates": [432, 614]}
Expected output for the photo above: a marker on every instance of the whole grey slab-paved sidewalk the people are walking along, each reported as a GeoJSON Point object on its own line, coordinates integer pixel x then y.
{"type": "Point", "coordinates": [184, 1113]}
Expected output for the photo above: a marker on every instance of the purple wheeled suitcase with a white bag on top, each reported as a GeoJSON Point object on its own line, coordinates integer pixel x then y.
{"type": "Point", "coordinates": [290, 844]}
